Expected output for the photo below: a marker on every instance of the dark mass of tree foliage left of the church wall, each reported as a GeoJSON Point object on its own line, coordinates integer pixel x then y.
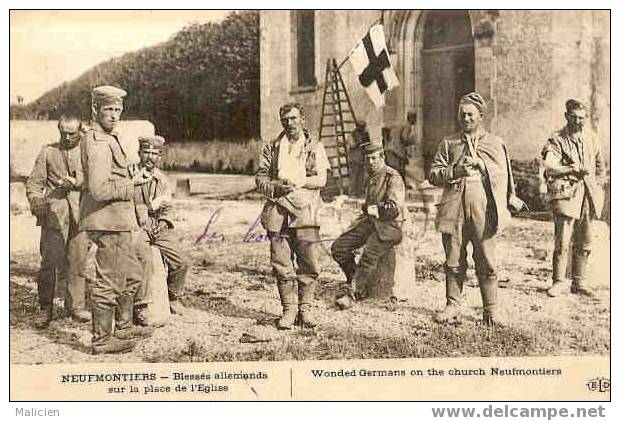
{"type": "Point", "coordinates": [201, 84]}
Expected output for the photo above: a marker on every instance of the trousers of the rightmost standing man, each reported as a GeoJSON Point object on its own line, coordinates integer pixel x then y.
{"type": "Point", "coordinates": [568, 229]}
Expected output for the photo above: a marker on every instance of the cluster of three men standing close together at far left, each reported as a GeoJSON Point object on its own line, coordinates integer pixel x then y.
{"type": "Point", "coordinates": [99, 208]}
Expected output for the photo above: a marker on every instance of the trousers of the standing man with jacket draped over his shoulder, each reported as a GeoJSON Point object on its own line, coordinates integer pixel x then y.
{"type": "Point", "coordinates": [475, 229]}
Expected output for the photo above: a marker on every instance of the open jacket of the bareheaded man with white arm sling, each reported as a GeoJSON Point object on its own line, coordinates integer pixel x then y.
{"type": "Point", "coordinates": [300, 212]}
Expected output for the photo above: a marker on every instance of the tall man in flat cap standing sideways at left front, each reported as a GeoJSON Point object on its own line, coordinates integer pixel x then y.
{"type": "Point", "coordinates": [107, 214]}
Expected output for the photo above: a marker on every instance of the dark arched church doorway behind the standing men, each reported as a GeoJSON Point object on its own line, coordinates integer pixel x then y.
{"type": "Point", "coordinates": [447, 73]}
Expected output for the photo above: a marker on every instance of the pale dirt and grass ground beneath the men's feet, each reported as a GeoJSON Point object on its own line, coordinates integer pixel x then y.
{"type": "Point", "coordinates": [232, 302]}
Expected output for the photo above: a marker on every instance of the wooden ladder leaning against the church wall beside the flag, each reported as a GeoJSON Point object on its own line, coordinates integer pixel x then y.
{"type": "Point", "coordinates": [337, 124]}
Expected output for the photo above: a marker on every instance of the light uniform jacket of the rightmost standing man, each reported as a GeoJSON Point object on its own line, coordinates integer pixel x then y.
{"type": "Point", "coordinates": [567, 192]}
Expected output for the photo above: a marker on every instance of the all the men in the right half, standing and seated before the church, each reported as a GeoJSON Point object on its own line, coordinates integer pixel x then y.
{"type": "Point", "coordinates": [473, 168]}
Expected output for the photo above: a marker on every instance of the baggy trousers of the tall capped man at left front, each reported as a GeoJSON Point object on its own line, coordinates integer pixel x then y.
{"type": "Point", "coordinates": [118, 271]}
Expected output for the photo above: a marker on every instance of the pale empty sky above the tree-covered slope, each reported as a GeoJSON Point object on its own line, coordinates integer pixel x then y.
{"type": "Point", "coordinates": [54, 46]}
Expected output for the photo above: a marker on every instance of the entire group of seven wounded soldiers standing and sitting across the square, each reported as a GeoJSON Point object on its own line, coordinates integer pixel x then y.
{"type": "Point", "coordinates": [97, 207]}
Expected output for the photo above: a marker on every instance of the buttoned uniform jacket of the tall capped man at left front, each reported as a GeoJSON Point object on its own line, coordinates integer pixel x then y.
{"type": "Point", "coordinates": [107, 203]}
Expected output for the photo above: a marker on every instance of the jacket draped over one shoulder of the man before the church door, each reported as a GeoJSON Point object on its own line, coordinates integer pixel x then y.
{"type": "Point", "coordinates": [451, 152]}
